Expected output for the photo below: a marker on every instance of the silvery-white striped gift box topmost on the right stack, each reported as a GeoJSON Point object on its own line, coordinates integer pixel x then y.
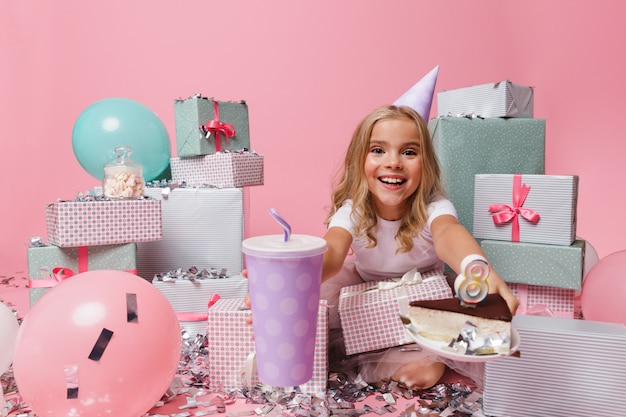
{"type": "Point", "coordinates": [501, 99]}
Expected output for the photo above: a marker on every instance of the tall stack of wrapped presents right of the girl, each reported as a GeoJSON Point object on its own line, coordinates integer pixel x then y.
{"type": "Point", "coordinates": [491, 150]}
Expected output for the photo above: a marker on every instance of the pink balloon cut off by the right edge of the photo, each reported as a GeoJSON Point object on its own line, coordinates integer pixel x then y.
{"type": "Point", "coordinates": [604, 290]}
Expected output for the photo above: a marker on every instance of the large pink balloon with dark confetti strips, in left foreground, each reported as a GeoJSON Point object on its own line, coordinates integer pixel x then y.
{"type": "Point", "coordinates": [108, 338]}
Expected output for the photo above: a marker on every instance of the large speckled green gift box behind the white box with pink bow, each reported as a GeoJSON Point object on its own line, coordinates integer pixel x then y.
{"type": "Point", "coordinates": [469, 146]}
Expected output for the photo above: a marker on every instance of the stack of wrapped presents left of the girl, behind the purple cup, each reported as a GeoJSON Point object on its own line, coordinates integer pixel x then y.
{"type": "Point", "coordinates": [184, 236]}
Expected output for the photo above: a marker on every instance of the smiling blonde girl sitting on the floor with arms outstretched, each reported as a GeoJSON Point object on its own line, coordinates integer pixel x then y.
{"type": "Point", "coordinates": [390, 210]}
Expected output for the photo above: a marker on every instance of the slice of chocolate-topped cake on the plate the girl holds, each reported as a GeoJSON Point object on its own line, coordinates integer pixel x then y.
{"type": "Point", "coordinates": [485, 326]}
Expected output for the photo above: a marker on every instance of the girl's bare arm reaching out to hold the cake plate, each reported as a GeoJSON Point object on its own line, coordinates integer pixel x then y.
{"type": "Point", "coordinates": [453, 243]}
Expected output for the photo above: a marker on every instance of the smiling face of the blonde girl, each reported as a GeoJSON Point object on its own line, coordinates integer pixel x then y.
{"type": "Point", "coordinates": [393, 166]}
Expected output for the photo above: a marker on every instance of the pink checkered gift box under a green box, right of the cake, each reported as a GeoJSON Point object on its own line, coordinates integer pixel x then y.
{"type": "Point", "coordinates": [539, 300]}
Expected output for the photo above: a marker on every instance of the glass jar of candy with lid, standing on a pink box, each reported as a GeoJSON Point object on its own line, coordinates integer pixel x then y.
{"type": "Point", "coordinates": [123, 178]}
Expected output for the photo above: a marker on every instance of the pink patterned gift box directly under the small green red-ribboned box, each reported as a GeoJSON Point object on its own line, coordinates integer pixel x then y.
{"type": "Point", "coordinates": [221, 170]}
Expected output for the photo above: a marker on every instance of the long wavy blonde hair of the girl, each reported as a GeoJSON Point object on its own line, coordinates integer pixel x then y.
{"type": "Point", "coordinates": [352, 184]}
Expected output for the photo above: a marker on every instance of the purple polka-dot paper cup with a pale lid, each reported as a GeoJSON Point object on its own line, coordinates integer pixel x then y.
{"type": "Point", "coordinates": [284, 284]}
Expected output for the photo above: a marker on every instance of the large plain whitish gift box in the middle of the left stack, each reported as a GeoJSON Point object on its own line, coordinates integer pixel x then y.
{"type": "Point", "coordinates": [202, 227]}
